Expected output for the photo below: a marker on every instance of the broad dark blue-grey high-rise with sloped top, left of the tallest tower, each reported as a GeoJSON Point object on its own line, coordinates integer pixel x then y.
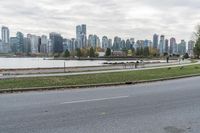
{"type": "Point", "coordinates": [57, 42]}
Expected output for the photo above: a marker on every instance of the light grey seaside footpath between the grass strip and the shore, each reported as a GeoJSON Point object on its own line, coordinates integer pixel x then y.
{"type": "Point", "coordinates": [103, 70]}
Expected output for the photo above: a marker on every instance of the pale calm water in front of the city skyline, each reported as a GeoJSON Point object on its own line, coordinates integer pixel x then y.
{"type": "Point", "coordinates": [16, 63]}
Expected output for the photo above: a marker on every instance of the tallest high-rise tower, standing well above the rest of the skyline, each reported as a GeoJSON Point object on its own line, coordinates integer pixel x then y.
{"type": "Point", "coordinates": [81, 36]}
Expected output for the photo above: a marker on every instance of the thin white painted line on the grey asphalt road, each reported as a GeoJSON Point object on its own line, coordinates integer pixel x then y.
{"type": "Point", "coordinates": [93, 100]}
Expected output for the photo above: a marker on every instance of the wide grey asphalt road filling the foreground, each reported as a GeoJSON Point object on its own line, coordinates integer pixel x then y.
{"type": "Point", "coordinates": [160, 107]}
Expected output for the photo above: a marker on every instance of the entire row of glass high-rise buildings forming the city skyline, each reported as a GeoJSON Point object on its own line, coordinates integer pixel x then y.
{"type": "Point", "coordinates": [56, 43]}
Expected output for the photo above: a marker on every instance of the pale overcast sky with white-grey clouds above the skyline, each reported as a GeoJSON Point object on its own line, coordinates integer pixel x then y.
{"type": "Point", "coordinates": [125, 18]}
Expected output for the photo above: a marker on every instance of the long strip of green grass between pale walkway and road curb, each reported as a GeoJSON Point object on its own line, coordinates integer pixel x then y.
{"type": "Point", "coordinates": [99, 78]}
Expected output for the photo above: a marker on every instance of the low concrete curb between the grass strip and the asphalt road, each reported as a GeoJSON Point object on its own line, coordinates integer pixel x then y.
{"type": "Point", "coordinates": [93, 85]}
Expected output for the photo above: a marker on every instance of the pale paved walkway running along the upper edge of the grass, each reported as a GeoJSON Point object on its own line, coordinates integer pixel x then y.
{"type": "Point", "coordinates": [150, 66]}
